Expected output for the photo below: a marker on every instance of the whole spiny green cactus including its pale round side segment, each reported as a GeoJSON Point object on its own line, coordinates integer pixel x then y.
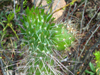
{"type": "Point", "coordinates": [41, 35]}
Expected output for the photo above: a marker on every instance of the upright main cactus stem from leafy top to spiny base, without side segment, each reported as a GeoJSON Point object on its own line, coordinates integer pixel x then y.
{"type": "Point", "coordinates": [37, 35]}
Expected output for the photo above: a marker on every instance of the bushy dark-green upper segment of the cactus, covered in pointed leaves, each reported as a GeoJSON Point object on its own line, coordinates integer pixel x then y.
{"type": "Point", "coordinates": [37, 28]}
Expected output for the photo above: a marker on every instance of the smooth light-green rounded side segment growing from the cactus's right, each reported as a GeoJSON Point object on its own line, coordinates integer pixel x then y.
{"type": "Point", "coordinates": [62, 38]}
